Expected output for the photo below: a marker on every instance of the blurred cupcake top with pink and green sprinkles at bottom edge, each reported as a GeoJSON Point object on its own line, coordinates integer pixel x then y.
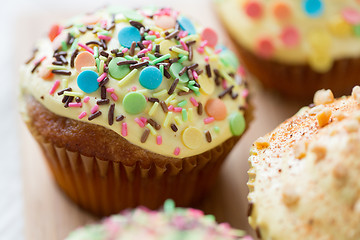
{"type": "Point", "coordinates": [169, 223]}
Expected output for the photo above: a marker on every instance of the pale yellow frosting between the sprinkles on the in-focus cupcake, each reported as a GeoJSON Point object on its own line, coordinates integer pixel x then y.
{"type": "Point", "coordinates": [32, 83]}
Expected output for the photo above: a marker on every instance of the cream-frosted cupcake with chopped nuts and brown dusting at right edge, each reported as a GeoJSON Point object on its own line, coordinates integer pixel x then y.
{"type": "Point", "coordinates": [303, 179]}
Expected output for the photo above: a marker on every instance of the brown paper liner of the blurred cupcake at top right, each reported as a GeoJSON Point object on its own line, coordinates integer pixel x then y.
{"type": "Point", "coordinates": [301, 81]}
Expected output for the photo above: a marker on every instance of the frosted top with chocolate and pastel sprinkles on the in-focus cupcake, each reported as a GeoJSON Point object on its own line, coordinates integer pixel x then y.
{"type": "Point", "coordinates": [151, 75]}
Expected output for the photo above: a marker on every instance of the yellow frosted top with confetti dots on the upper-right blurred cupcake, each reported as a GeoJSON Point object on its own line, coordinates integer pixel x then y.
{"type": "Point", "coordinates": [315, 32]}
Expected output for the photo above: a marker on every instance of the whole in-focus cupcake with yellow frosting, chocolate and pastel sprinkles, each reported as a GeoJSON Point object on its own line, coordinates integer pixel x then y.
{"type": "Point", "coordinates": [132, 107]}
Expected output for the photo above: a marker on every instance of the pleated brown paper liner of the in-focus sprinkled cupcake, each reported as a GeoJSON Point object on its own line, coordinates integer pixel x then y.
{"type": "Point", "coordinates": [106, 187]}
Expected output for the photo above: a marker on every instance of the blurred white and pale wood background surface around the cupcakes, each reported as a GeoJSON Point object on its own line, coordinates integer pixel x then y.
{"type": "Point", "coordinates": [30, 204]}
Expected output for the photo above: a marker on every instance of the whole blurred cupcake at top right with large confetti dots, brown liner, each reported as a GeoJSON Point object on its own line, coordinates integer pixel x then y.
{"type": "Point", "coordinates": [297, 47]}
